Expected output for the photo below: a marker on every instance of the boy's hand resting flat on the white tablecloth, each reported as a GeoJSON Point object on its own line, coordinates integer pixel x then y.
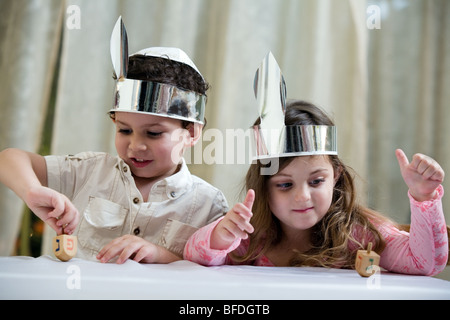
{"type": "Point", "coordinates": [137, 249]}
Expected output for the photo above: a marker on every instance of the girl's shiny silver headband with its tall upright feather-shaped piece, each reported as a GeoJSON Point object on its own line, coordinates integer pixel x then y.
{"type": "Point", "coordinates": [272, 138]}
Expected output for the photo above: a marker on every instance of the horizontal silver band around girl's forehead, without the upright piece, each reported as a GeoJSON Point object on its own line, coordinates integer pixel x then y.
{"type": "Point", "coordinates": [295, 141]}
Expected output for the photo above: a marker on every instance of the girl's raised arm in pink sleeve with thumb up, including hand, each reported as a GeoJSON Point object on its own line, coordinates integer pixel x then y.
{"type": "Point", "coordinates": [424, 250]}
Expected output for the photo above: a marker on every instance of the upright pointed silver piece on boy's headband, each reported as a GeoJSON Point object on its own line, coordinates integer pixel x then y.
{"type": "Point", "coordinates": [119, 50]}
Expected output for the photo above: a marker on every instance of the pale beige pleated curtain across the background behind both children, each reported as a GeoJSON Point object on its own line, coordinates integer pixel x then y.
{"type": "Point", "coordinates": [386, 87]}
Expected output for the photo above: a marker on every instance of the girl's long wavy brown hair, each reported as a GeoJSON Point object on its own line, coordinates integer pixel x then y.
{"type": "Point", "coordinates": [332, 235]}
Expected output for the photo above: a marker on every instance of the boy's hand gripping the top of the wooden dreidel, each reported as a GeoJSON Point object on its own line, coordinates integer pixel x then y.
{"type": "Point", "coordinates": [53, 208]}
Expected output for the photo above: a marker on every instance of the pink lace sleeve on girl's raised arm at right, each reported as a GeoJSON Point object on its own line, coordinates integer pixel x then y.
{"type": "Point", "coordinates": [424, 250]}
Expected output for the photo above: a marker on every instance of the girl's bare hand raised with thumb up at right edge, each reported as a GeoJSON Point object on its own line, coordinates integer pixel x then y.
{"type": "Point", "coordinates": [423, 175]}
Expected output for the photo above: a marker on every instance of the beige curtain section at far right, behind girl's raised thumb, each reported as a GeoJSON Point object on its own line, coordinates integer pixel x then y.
{"type": "Point", "coordinates": [408, 97]}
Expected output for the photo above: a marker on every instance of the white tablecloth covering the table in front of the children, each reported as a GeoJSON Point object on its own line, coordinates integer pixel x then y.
{"type": "Point", "coordinates": [48, 278]}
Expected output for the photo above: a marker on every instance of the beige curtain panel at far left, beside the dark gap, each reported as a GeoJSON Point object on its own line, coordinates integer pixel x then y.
{"type": "Point", "coordinates": [29, 42]}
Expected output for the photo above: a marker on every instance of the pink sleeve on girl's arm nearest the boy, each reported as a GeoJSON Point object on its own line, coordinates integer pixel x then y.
{"type": "Point", "coordinates": [198, 247]}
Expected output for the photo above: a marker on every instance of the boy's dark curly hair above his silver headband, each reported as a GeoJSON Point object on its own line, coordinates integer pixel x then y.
{"type": "Point", "coordinates": [164, 70]}
